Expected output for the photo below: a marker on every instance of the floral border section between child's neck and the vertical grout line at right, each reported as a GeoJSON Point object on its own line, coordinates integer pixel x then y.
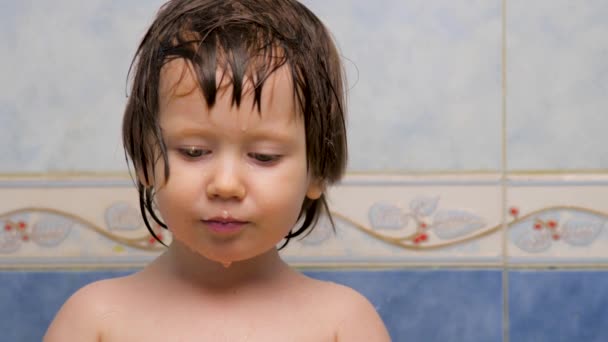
{"type": "Point", "coordinates": [407, 221]}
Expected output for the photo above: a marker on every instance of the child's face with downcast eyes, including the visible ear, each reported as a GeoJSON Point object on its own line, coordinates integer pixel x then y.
{"type": "Point", "coordinates": [237, 177]}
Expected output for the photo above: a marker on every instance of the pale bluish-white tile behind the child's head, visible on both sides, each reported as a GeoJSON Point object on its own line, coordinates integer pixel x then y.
{"type": "Point", "coordinates": [424, 82]}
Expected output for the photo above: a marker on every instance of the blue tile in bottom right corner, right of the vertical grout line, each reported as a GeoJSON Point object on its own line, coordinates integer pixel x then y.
{"type": "Point", "coordinates": [558, 306]}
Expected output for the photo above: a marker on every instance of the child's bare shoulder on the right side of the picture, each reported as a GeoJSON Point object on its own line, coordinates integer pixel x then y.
{"type": "Point", "coordinates": [356, 319]}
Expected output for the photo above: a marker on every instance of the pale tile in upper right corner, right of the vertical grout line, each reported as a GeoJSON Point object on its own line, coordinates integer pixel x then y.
{"type": "Point", "coordinates": [557, 84]}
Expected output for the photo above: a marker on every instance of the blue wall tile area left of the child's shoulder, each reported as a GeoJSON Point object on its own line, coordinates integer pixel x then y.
{"type": "Point", "coordinates": [29, 300]}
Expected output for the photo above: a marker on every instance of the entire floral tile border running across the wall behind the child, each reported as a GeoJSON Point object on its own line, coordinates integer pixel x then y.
{"type": "Point", "coordinates": [380, 221]}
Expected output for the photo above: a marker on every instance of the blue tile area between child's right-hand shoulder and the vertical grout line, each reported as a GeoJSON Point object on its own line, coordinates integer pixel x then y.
{"type": "Point", "coordinates": [447, 305]}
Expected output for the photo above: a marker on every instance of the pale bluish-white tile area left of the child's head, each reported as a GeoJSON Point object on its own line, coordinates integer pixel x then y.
{"type": "Point", "coordinates": [64, 82]}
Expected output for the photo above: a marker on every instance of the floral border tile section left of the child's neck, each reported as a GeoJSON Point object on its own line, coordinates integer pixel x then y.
{"type": "Point", "coordinates": [86, 223]}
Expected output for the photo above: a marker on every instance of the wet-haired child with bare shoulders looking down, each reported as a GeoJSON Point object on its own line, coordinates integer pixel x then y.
{"type": "Point", "coordinates": [235, 126]}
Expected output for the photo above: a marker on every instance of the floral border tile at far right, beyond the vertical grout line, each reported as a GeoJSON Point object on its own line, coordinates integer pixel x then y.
{"type": "Point", "coordinates": [558, 220]}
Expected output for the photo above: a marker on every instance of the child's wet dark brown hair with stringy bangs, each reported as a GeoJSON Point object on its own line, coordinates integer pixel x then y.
{"type": "Point", "coordinates": [247, 40]}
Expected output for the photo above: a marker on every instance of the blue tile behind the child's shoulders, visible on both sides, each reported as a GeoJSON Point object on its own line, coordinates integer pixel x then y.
{"type": "Point", "coordinates": [415, 305]}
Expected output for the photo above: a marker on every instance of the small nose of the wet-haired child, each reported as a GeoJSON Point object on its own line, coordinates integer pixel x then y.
{"type": "Point", "coordinates": [226, 181]}
